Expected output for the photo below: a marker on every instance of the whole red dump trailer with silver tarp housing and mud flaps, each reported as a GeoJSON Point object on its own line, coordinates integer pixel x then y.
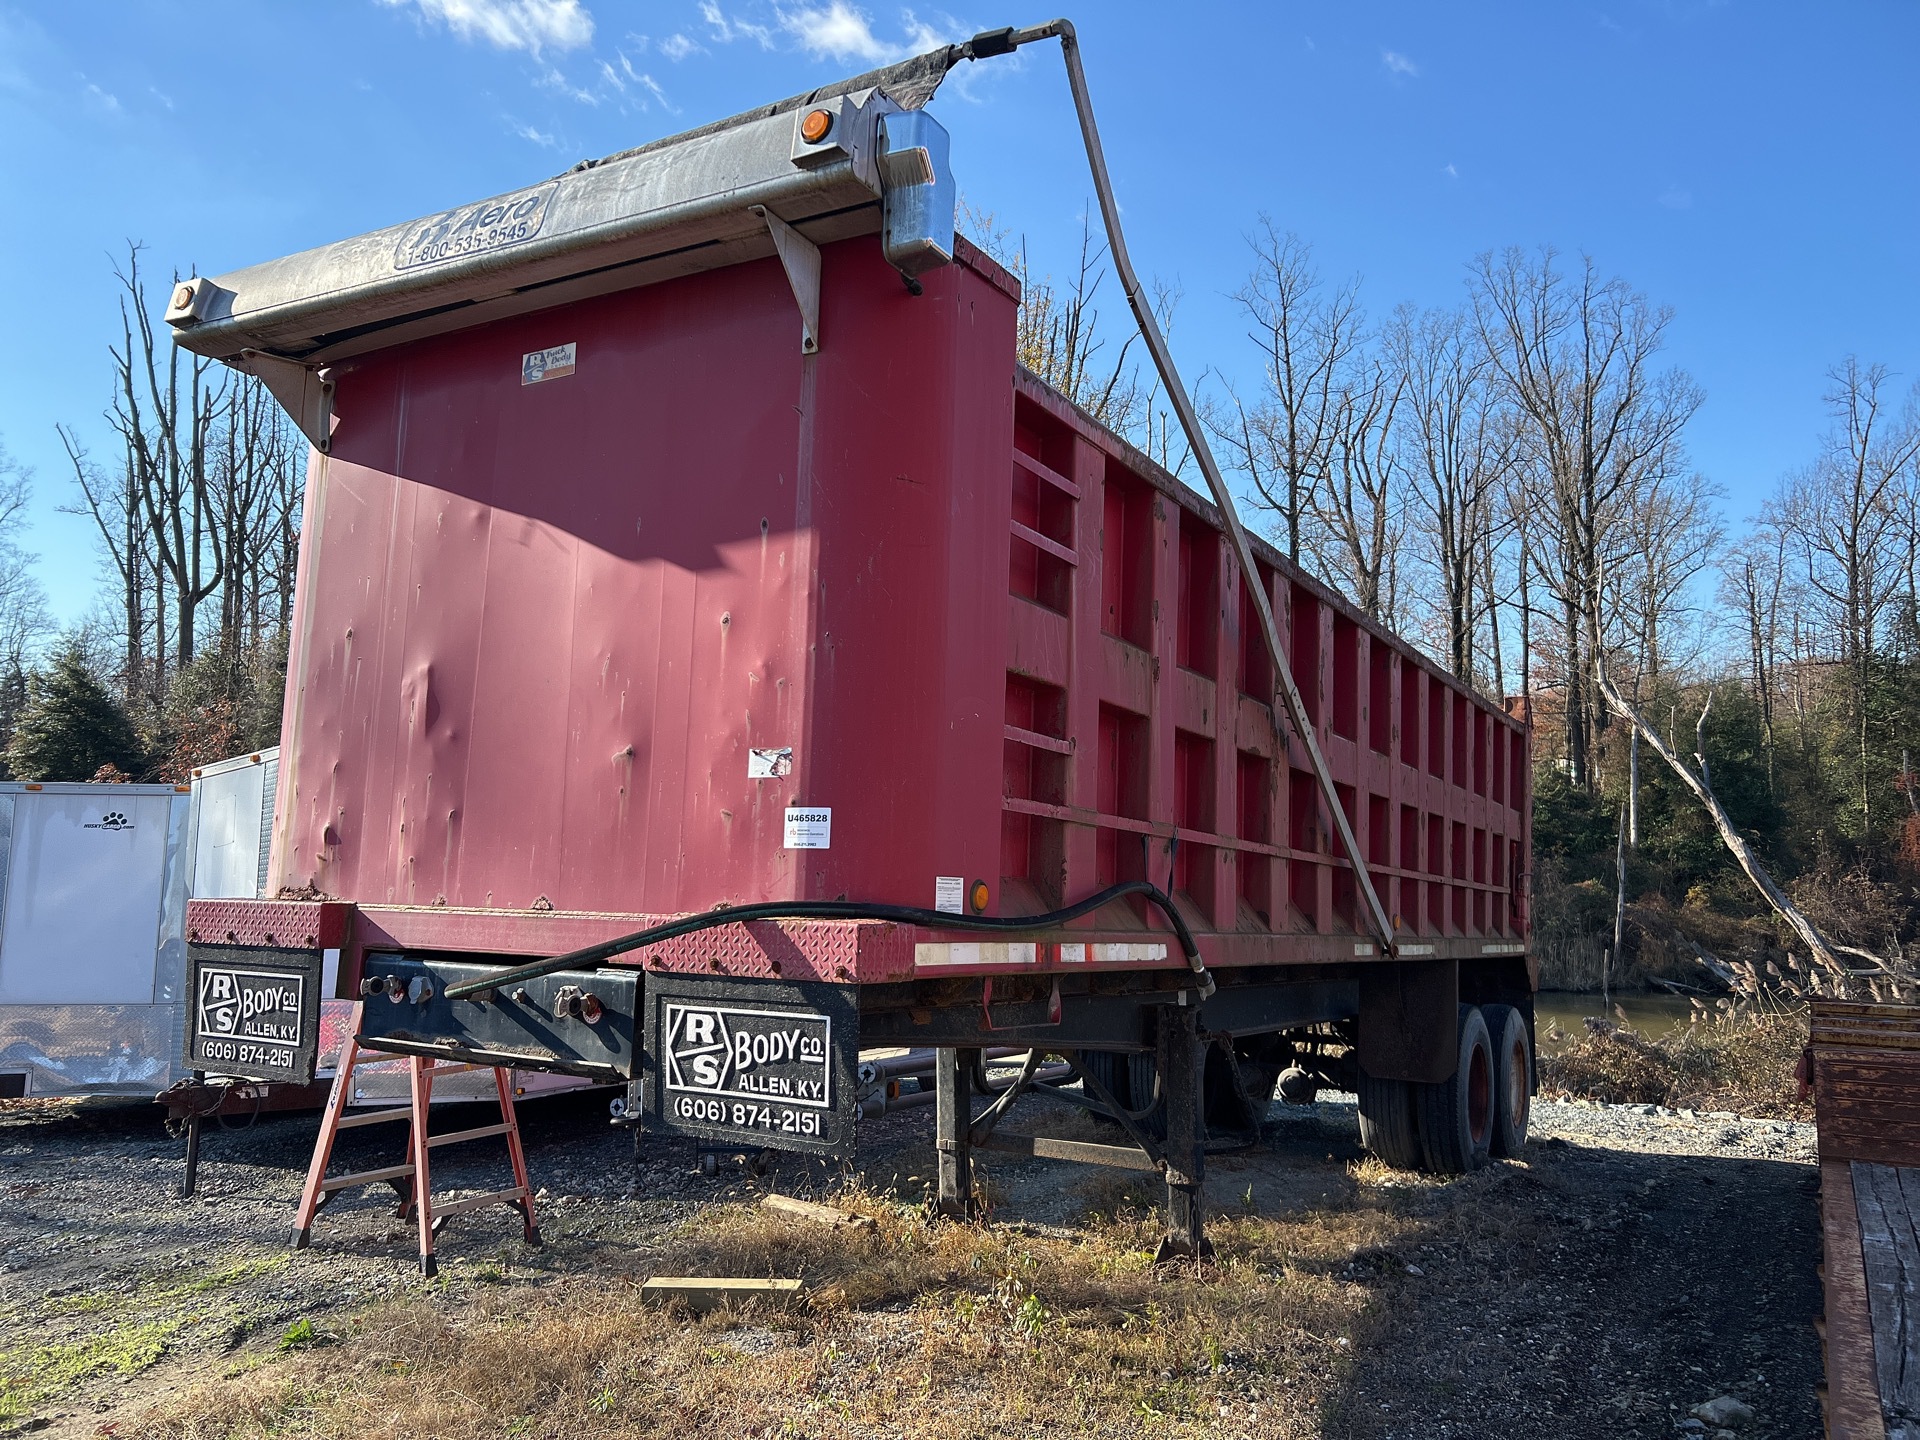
{"type": "Point", "coordinates": [683, 535]}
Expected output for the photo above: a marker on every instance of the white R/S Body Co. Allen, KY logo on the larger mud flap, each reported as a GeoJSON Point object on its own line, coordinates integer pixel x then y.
{"type": "Point", "coordinates": [750, 1055]}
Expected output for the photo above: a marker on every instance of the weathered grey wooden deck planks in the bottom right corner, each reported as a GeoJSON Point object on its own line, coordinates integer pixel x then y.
{"type": "Point", "coordinates": [1888, 1205]}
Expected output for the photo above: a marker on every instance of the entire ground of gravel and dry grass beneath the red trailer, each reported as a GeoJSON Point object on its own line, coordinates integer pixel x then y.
{"type": "Point", "coordinates": [1627, 1268]}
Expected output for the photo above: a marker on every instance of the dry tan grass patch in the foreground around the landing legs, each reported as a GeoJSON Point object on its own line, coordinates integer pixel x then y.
{"type": "Point", "coordinates": [913, 1332]}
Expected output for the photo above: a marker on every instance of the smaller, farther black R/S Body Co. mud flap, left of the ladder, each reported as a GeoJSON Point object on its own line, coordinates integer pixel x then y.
{"type": "Point", "coordinates": [256, 1013]}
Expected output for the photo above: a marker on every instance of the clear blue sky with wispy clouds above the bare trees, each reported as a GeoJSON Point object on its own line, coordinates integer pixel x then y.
{"type": "Point", "coordinates": [1754, 166]}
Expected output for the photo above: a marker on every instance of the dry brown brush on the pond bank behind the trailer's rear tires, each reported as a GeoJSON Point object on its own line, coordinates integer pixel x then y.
{"type": "Point", "coordinates": [1727, 1061]}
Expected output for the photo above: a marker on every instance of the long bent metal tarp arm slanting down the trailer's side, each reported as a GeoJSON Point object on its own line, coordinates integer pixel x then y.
{"type": "Point", "coordinates": [1143, 314]}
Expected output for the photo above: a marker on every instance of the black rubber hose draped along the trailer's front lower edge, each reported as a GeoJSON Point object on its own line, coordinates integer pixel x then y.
{"type": "Point", "coordinates": [901, 915]}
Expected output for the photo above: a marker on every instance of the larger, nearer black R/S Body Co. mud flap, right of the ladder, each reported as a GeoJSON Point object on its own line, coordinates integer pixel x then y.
{"type": "Point", "coordinates": [754, 1063]}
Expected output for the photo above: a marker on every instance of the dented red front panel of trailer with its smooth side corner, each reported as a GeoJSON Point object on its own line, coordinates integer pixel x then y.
{"type": "Point", "coordinates": [542, 629]}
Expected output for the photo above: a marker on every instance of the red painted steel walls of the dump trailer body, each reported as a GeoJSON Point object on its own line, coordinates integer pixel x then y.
{"type": "Point", "coordinates": [540, 627]}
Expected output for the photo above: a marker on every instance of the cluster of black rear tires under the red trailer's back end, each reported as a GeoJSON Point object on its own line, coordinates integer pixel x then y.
{"type": "Point", "coordinates": [1458, 1124]}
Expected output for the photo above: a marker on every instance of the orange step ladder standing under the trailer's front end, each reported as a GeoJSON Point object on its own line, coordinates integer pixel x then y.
{"type": "Point", "coordinates": [412, 1180]}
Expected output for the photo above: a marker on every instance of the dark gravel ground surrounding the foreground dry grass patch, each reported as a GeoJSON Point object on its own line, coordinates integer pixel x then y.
{"type": "Point", "coordinates": [1635, 1264]}
